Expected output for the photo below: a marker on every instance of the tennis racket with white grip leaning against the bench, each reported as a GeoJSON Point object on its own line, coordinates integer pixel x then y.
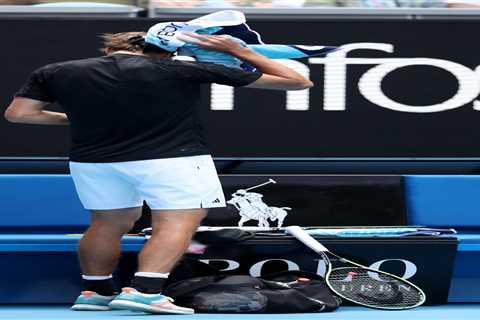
{"type": "Point", "coordinates": [360, 284]}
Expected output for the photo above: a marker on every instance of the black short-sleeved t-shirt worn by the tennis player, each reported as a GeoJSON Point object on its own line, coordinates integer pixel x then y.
{"type": "Point", "coordinates": [126, 107]}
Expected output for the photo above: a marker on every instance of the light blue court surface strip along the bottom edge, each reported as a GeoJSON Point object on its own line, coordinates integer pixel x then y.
{"type": "Point", "coordinates": [61, 312]}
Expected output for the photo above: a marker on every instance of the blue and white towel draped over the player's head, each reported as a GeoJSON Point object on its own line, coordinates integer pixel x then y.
{"type": "Point", "coordinates": [230, 23]}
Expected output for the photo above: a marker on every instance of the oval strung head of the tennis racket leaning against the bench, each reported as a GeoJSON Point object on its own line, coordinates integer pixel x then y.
{"type": "Point", "coordinates": [374, 289]}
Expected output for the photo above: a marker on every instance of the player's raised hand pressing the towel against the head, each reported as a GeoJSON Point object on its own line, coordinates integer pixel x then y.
{"type": "Point", "coordinates": [209, 42]}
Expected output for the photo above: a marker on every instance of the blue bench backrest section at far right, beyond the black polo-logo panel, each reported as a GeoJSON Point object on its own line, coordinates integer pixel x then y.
{"type": "Point", "coordinates": [443, 200]}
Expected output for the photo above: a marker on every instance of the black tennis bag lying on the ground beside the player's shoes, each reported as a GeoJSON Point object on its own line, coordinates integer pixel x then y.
{"type": "Point", "coordinates": [285, 292]}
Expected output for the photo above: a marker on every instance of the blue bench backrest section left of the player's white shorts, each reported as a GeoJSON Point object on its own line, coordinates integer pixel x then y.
{"type": "Point", "coordinates": [40, 200]}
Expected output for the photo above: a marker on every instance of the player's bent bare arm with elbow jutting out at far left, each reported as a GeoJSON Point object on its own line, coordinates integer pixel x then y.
{"type": "Point", "coordinates": [30, 111]}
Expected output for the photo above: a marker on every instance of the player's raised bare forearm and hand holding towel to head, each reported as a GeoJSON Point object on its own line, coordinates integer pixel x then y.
{"type": "Point", "coordinates": [275, 75]}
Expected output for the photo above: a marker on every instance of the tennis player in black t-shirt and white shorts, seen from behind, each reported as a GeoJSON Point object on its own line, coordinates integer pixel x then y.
{"type": "Point", "coordinates": [136, 137]}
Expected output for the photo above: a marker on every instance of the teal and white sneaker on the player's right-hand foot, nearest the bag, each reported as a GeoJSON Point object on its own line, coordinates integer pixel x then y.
{"type": "Point", "coordinates": [131, 299]}
